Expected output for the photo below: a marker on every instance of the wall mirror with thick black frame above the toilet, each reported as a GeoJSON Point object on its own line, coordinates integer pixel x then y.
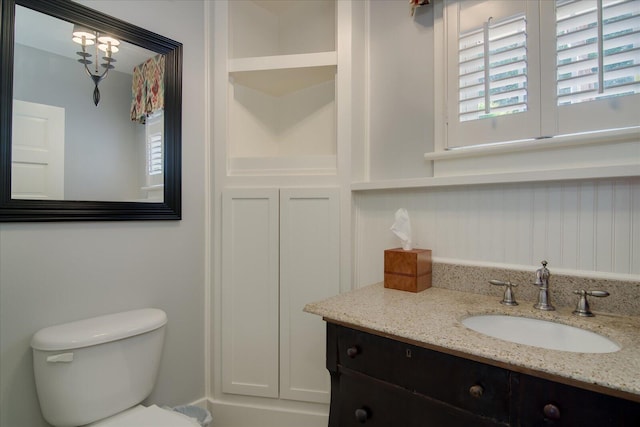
{"type": "Point", "coordinates": [90, 128]}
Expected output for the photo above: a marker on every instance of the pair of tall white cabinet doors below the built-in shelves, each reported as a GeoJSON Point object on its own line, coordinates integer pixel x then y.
{"type": "Point", "coordinates": [280, 250]}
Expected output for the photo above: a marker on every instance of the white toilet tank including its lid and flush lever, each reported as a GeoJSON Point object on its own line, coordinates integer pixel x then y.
{"type": "Point", "coordinates": [91, 369]}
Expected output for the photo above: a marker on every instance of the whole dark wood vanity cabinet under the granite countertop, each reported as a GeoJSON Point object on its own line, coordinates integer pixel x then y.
{"type": "Point", "coordinates": [379, 381]}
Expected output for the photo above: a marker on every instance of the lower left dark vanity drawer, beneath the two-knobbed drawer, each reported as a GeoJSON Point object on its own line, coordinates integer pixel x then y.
{"type": "Point", "coordinates": [364, 400]}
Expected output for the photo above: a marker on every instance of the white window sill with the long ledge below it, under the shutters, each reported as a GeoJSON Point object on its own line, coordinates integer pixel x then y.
{"type": "Point", "coordinates": [573, 157]}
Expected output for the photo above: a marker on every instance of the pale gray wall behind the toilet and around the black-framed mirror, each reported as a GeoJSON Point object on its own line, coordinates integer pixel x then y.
{"type": "Point", "coordinates": [58, 272]}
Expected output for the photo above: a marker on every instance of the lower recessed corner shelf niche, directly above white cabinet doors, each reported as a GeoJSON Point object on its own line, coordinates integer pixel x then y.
{"type": "Point", "coordinates": [292, 131]}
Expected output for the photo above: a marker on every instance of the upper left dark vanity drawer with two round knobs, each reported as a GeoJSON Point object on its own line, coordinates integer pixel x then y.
{"type": "Point", "coordinates": [468, 385]}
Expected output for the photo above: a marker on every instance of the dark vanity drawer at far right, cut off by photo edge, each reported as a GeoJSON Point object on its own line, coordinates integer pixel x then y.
{"type": "Point", "coordinates": [541, 402]}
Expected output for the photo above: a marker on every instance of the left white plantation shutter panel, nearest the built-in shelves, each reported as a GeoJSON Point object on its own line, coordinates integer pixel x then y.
{"type": "Point", "coordinates": [493, 87]}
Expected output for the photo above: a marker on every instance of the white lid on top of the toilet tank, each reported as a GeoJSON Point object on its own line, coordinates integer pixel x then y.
{"type": "Point", "coordinates": [98, 330]}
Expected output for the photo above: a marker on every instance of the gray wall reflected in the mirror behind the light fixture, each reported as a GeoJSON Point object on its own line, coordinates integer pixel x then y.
{"type": "Point", "coordinates": [104, 149]}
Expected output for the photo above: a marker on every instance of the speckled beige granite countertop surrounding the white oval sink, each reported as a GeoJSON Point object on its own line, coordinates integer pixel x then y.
{"type": "Point", "coordinates": [432, 317]}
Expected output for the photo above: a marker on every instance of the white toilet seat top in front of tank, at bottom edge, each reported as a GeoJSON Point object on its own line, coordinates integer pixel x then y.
{"type": "Point", "coordinates": [151, 416]}
